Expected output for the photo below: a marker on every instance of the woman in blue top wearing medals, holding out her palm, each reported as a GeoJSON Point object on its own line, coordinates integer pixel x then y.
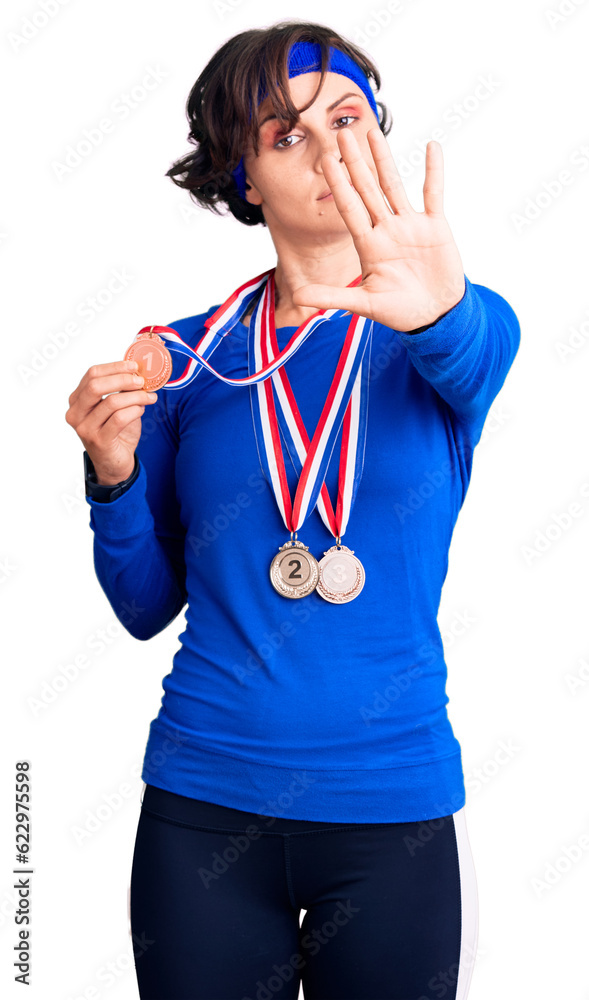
{"type": "Point", "coordinates": [302, 758]}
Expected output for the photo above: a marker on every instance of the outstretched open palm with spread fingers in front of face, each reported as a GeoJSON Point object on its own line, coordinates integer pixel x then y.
{"type": "Point", "coordinates": [411, 269]}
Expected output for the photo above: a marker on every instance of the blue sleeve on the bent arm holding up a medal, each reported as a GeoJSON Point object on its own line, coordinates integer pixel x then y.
{"type": "Point", "coordinates": [139, 538]}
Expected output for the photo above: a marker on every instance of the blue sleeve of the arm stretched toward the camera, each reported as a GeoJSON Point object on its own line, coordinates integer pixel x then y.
{"type": "Point", "coordinates": [467, 353]}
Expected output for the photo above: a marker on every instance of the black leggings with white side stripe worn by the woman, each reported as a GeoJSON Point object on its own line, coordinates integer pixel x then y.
{"type": "Point", "coordinates": [216, 895]}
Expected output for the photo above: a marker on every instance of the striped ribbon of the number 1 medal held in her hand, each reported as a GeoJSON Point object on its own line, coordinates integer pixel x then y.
{"type": "Point", "coordinates": [222, 322]}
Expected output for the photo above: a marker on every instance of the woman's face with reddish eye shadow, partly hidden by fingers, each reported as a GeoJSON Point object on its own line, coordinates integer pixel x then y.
{"type": "Point", "coordinates": [286, 178]}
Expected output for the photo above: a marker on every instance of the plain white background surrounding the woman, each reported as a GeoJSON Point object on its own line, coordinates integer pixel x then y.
{"type": "Point", "coordinates": [512, 668]}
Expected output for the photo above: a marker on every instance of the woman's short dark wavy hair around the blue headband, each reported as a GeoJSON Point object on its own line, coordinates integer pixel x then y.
{"type": "Point", "coordinates": [218, 108]}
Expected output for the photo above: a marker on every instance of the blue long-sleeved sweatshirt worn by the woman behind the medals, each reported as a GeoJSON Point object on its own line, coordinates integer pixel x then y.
{"type": "Point", "coordinates": [302, 708]}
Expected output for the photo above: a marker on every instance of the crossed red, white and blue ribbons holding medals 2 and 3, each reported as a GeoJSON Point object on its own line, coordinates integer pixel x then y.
{"type": "Point", "coordinates": [347, 401]}
